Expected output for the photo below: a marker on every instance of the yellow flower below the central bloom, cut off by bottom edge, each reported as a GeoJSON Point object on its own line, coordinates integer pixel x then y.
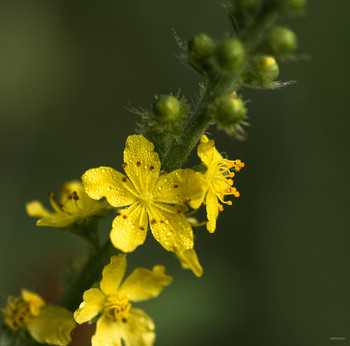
{"type": "Point", "coordinates": [118, 319]}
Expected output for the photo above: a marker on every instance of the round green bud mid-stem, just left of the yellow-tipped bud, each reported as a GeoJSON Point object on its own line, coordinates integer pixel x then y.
{"type": "Point", "coordinates": [230, 55]}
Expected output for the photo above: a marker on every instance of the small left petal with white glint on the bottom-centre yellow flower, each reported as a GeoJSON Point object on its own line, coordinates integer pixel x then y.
{"type": "Point", "coordinates": [91, 306]}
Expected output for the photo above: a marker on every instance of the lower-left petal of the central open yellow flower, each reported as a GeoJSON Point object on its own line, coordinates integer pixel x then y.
{"type": "Point", "coordinates": [129, 229]}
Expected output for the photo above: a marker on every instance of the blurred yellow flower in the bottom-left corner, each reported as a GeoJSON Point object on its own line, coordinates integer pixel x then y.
{"type": "Point", "coordinates": [45, 324]}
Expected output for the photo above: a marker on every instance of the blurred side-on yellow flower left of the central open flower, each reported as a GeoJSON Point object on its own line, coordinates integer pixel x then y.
{"type": "Point", "coordinates": [73, 207]}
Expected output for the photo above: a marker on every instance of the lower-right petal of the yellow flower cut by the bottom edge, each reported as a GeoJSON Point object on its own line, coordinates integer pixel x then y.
{"type": "Point", "coordinates": [138, 330]}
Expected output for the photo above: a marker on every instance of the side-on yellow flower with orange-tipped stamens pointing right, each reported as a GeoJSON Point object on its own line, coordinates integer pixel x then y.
{"type": "Point", "coordinates": [218, 177]}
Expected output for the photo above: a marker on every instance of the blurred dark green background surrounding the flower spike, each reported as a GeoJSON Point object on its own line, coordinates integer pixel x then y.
{"type": "Point", "coordinates": [276, 271]}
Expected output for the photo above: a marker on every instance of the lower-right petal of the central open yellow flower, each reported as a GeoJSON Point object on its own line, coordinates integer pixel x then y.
{"type": "Point", "coordinates": [170, 228]}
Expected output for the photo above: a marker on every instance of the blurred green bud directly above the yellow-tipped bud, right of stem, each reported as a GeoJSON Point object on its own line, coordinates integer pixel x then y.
{"type": "Point", "coordinates": [282, 40]}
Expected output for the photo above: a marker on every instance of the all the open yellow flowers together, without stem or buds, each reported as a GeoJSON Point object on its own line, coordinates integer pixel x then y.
{"type": "Point", "coordinates": [145, 197]}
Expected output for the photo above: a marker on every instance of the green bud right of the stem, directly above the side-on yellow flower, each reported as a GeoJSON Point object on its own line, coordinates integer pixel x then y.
{"type": "Point", "coordinates": [229, 110]}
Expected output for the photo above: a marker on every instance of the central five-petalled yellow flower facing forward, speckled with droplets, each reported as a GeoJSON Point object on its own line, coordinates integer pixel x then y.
{"type": "Point", "coordinates": [151, 199]}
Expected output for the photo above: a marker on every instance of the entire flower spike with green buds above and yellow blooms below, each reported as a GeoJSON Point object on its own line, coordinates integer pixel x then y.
{"type": "Point", "coordinates": [153, 194]}
